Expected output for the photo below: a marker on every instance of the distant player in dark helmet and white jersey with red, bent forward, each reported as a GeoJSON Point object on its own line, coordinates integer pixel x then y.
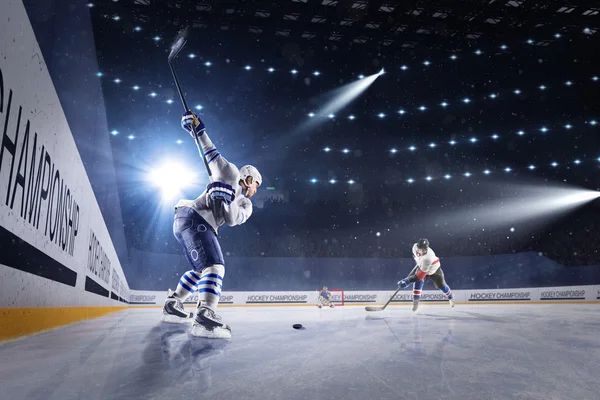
{"type": "Point", "coordinates": [428, 265]}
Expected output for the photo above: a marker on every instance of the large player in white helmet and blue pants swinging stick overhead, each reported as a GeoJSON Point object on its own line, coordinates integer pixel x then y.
{"type": "Point", "coordinates": [226, 200]}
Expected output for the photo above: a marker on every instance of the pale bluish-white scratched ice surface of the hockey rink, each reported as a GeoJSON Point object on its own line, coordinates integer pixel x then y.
{"type": "Point", "coordinates": [472, 352]}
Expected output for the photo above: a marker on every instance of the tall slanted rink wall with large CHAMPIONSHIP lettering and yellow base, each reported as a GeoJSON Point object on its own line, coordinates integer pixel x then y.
{"type": "Point", "coordinates": [58, 264]}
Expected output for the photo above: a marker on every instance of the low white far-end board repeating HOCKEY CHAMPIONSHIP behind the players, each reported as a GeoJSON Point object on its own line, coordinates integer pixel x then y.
{"type": "Point", "coordinates": [494, 296]}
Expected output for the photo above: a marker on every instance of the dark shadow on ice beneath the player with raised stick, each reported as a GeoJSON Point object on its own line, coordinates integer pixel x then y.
{"type": "Point", "coordinates": [171, 358]}
